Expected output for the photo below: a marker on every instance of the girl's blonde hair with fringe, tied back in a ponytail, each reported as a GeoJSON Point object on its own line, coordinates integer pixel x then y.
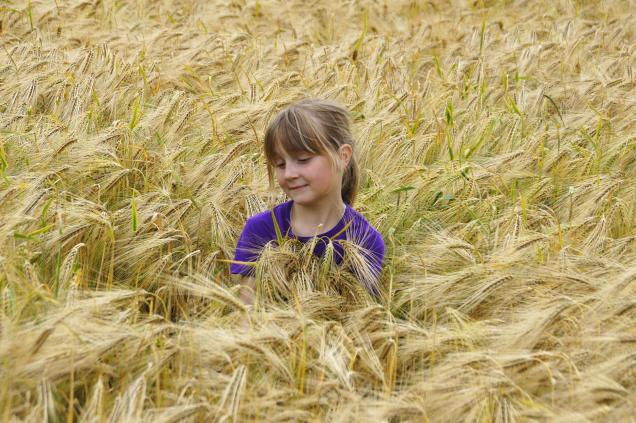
{"type": "Point", "coordinates": [317, 127]}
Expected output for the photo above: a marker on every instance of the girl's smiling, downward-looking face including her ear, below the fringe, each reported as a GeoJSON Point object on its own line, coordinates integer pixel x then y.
{"type": "Point", "coordinates": [311, 179]}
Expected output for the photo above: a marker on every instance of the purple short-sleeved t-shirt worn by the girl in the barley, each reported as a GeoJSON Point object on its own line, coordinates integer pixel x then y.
{"type": "Point", "coordinates": [259, 230]}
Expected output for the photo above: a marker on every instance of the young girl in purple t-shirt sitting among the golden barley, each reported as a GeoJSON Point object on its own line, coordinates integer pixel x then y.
{"type": "Point", "coordinates": [309, 150]}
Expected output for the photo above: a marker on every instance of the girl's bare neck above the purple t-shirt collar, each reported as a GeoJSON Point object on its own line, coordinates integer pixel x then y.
{"type": "Point", "coordinates": [314, 220]}
